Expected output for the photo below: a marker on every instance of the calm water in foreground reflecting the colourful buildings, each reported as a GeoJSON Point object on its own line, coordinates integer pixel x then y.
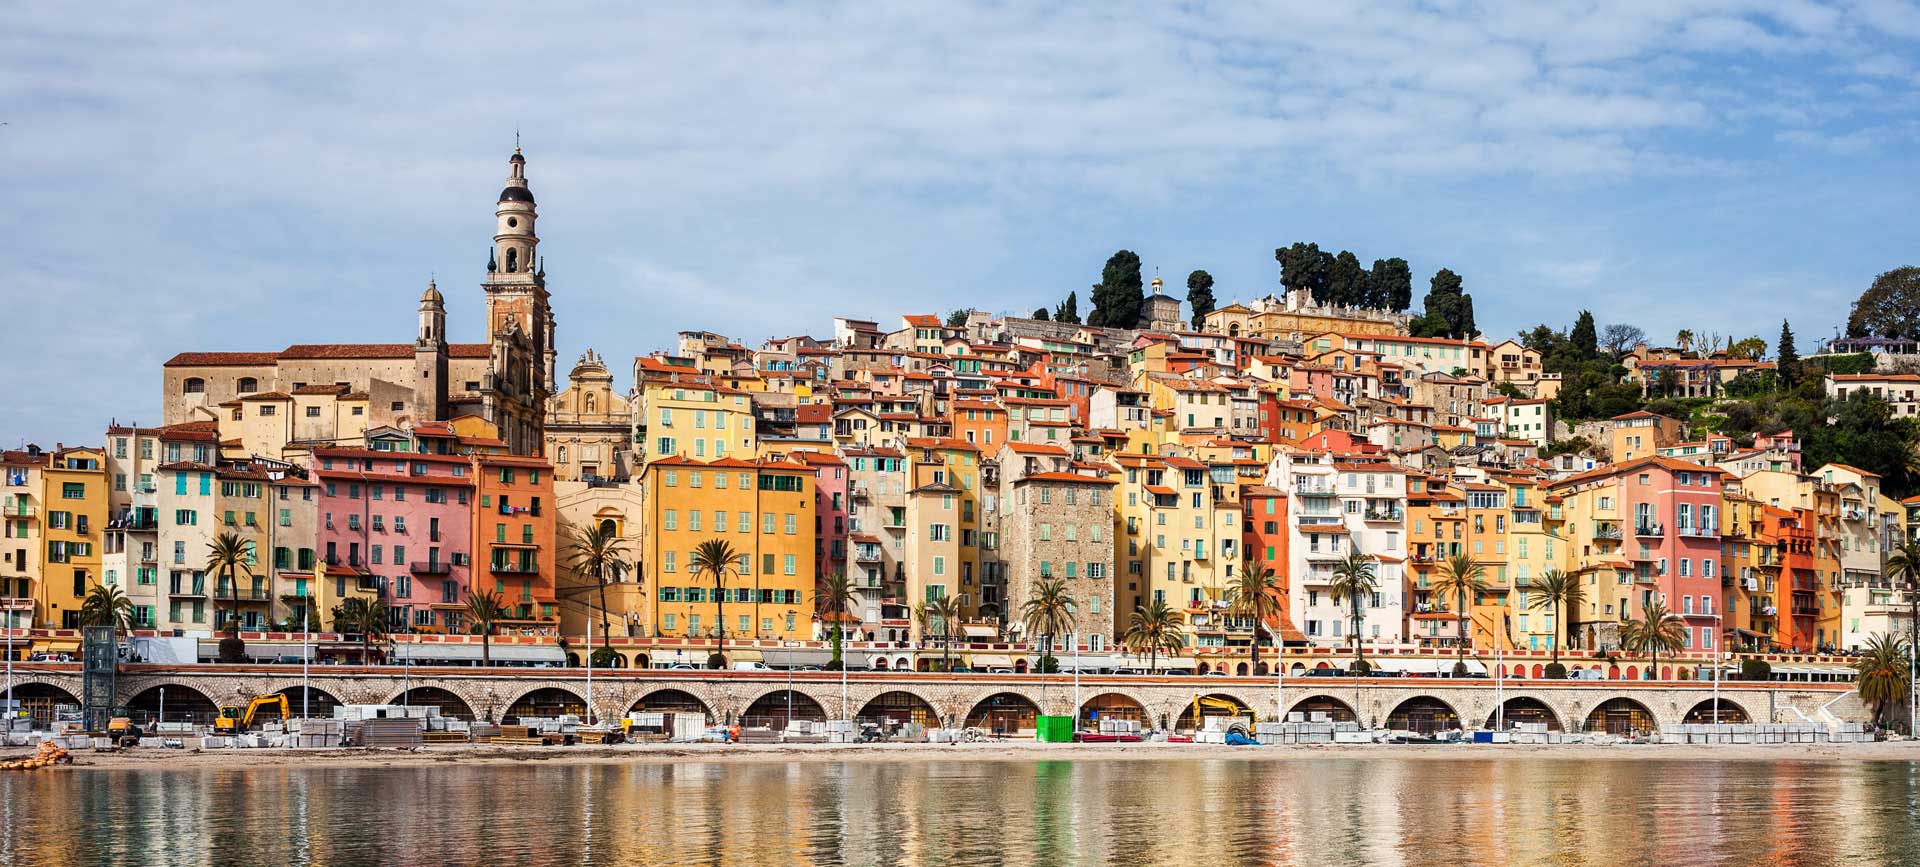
{"type": "Point", "coordinates": [1136, 812]}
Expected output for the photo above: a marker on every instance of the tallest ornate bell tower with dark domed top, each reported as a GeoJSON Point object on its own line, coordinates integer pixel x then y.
{"type": "Point", "coordinates": [519, 319]}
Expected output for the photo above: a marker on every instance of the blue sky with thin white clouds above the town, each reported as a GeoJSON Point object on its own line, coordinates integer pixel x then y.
{"type": "Point", "coordinates": [254, 176]}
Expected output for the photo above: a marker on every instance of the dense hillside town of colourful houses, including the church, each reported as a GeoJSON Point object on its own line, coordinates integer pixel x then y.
{"type": "Point", "coordinates": [1197, 484]}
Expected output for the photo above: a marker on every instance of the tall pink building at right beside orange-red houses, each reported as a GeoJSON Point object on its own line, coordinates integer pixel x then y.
{"type": "Point", "coordinates": [1671, 513]}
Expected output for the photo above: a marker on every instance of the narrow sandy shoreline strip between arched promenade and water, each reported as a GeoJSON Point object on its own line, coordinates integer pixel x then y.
{"type": "Point", "coordinates": [489, 755]}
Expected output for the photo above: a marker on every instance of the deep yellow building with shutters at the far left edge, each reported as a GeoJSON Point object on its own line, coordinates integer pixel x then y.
{"type": "Point", "coordinates": [76, 500]}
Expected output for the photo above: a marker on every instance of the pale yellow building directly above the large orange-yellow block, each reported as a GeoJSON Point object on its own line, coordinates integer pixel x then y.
{"type": "Point", "coordinates": [694, 421]}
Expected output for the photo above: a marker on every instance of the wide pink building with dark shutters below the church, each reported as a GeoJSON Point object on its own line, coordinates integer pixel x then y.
{"type": "Point", "coordinates": [404, 521]}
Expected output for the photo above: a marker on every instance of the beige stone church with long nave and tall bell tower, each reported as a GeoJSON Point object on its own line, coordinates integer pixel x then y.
{"type": "Point", "coordinates": [329, 394]}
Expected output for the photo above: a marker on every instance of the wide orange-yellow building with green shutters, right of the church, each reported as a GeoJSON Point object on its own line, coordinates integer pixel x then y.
{"type": "Point", "coordinates": [759, 507]}
